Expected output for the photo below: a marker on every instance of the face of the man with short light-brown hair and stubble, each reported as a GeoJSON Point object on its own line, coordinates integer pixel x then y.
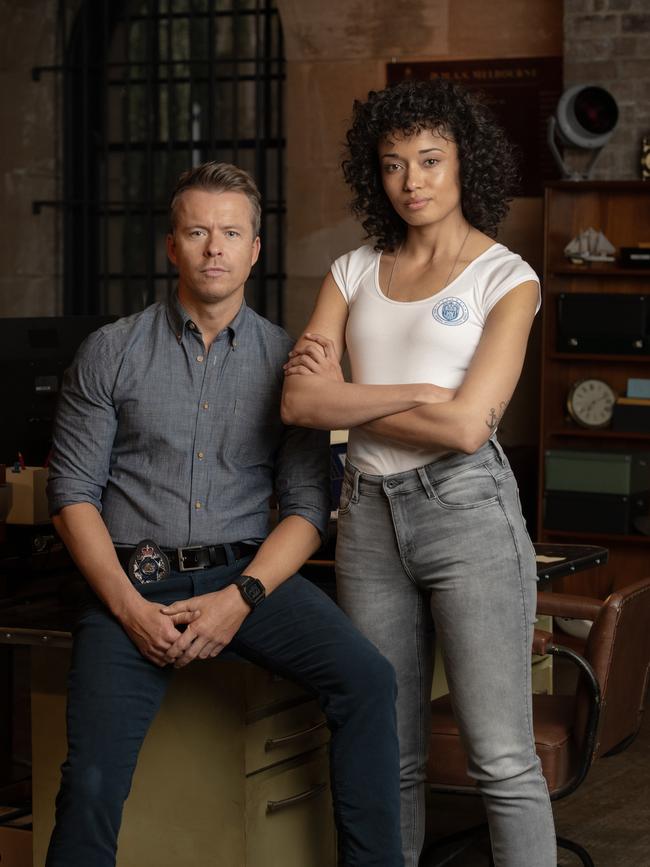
{"type": "Point", "coordinates": [212, 246]}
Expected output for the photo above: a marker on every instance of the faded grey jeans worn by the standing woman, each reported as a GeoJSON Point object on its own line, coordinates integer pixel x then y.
{"type": "Point", "coordinates": [442, 552]}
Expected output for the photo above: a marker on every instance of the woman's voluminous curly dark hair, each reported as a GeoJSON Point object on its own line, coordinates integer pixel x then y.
{"type": "Point", "coordinates": [488, 165]}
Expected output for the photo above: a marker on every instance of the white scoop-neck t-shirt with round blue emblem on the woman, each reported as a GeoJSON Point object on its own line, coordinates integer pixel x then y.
{"type": "Point", "coordinates": [433, 340]}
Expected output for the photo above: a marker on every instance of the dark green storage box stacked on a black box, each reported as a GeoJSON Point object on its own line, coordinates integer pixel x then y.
{"type": "Point", "coordinates": [597, 472]}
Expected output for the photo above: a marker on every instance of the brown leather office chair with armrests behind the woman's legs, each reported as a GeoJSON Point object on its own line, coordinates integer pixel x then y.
{"type": "Point", "coordinates": [571, 731]}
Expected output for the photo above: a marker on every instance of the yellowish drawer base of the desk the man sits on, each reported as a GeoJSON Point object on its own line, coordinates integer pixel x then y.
{"type": "Point", "coordinates": [234, 771]}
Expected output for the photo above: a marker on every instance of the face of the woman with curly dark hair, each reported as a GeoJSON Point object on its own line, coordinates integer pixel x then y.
{"type": "Point", "coordinates": [421, 176]}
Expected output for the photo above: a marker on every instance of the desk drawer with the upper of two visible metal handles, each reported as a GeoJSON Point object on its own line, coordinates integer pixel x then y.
{"type": "Point", "coordinates": [279, 736]}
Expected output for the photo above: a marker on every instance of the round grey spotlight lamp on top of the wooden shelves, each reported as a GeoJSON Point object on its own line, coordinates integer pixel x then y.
{"type": "Point", "coordinates": [585, 117]}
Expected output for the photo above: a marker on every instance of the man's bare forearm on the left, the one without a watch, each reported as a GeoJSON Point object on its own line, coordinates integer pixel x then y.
{"type": "Point", "coordinates": [86, 537]}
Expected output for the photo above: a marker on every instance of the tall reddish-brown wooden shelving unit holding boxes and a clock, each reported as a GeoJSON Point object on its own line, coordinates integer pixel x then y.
{"type": "Point", "coordinates": [621, 210]}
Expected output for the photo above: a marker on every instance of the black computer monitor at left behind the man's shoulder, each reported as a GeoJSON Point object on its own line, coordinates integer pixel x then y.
{"type": "Point", "coordinates": [34, 352]}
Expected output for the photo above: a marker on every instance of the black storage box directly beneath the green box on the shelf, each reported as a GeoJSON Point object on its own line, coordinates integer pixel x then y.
{"type": "Point", "coordinates": [597, 513]}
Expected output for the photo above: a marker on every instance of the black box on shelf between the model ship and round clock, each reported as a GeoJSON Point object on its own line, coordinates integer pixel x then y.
{"type": "Point", "coordinates": [607, 323]}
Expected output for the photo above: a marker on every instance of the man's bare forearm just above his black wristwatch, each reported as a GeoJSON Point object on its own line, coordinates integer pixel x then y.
{"type": "Point", "coordinates": [284, 551]}
